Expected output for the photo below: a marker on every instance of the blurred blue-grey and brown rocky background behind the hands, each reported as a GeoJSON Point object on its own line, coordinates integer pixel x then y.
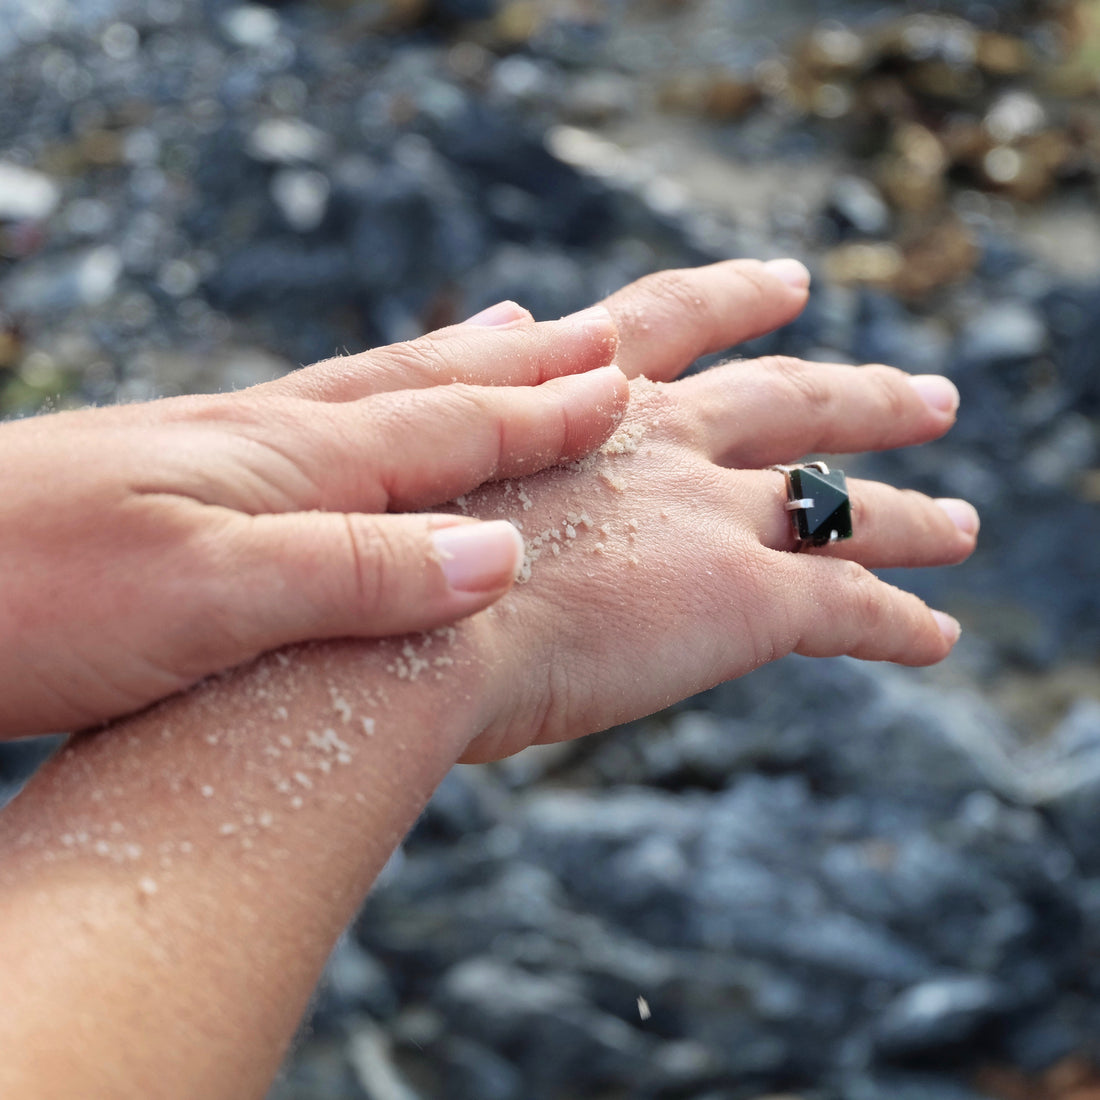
{"type": "Point", "coordinates": [828, 881]}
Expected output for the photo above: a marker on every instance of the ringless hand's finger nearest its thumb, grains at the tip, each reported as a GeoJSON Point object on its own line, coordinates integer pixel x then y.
{"type": "Point", "coordinates": [416, 449]}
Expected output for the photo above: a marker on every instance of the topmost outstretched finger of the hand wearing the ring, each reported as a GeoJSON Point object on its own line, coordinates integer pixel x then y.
{"type": "Point", "coordinates": [667, 321]}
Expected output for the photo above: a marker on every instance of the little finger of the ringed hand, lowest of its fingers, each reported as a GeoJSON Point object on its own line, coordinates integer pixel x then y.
{"type": "Point", "coordinates": [843, 610]}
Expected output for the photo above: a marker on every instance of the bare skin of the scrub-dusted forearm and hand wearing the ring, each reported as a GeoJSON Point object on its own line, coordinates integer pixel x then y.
{"type": "Point", "coordinates": [173, 886]}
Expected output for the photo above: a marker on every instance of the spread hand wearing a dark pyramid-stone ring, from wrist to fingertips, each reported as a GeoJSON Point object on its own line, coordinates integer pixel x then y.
{"type": "Point", "coordinates": [663, 566]}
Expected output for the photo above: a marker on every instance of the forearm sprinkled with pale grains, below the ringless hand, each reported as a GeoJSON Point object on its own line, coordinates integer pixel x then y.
{"type": "Point", "coordinates": [172, 886]}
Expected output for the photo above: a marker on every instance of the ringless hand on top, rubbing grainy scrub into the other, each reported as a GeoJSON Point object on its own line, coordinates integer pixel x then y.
{"type": "Point", "coordinates": [145, 547]}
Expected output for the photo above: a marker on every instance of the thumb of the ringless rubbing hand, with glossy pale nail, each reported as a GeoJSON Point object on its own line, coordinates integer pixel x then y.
{"type": "Point", "coordinates": [309, 576]}
